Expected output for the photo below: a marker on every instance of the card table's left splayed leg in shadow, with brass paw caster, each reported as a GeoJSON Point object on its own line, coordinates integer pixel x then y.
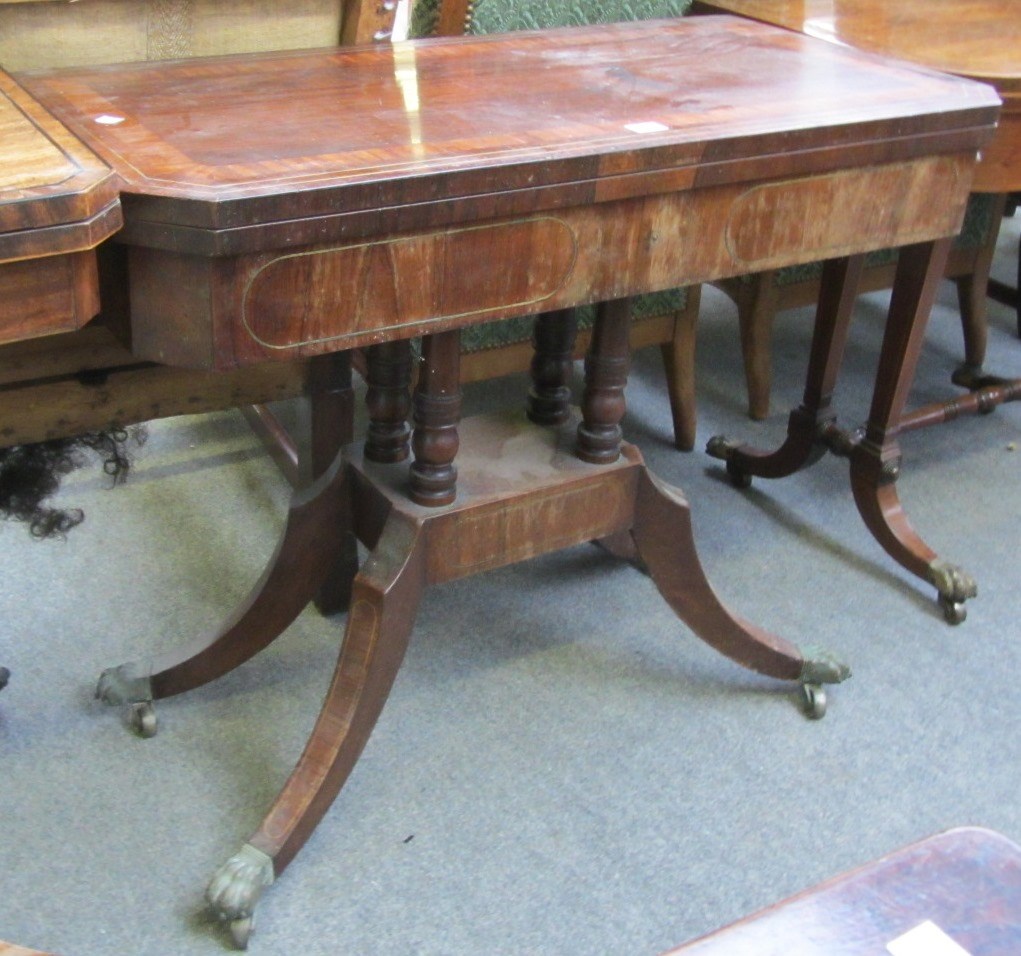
{"type": "Point", "coordinates": [311, 550]}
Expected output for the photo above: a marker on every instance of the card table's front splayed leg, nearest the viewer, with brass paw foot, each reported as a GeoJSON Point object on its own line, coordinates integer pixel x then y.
{"type": "Point", "coordinates": [384, 602]}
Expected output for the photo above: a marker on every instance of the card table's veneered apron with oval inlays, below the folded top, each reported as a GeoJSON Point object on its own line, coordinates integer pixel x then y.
{"type": "Point", "coordinates": [282, 305]}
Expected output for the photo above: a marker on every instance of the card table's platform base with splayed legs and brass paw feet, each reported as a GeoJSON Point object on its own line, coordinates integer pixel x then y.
{"type": "Point", "coordinates": [521, 493]}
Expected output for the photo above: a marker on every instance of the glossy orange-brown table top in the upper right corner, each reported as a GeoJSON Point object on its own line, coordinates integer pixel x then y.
{"type": "Point", "coordinates": [981, 39]}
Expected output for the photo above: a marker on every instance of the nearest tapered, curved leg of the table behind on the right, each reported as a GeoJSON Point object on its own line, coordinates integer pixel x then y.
{"type": "Point", "coordinates": [876, 462]}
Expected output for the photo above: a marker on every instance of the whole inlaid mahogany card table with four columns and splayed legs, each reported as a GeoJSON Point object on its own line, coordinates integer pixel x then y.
{"type": "Point", "coordinates": [310, 204]}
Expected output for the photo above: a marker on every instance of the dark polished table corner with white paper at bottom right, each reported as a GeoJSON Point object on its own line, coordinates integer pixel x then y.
{"type": "Point", "coordinates": [958, 892]}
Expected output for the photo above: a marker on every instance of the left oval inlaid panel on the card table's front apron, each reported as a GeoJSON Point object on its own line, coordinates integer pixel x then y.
{"type": "Point", "coordinates": [358, 292]}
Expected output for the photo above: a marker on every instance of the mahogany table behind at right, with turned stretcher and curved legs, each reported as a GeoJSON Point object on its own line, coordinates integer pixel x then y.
{"type": "Point", "coordinates": [978, 39]}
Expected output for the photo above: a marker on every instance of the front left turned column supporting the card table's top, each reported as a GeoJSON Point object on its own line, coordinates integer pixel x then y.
{"type": "Point", "coordinates": [437, 412]}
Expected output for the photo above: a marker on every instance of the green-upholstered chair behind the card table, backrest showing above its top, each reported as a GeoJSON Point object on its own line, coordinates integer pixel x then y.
{"type": "Point", "coordinates": [666, 319]}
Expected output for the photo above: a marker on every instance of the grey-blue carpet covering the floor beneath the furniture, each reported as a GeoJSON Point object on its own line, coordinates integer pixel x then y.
{"type": "Point", "coordinates": [562, 768]}
